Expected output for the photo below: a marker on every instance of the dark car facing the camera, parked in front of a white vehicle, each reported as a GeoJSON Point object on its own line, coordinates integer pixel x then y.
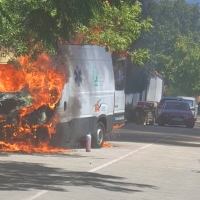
{"type": "Point", "coordinates": [176, 113]}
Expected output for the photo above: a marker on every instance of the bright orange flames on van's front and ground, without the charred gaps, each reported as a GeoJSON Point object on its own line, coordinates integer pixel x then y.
{"type": "Point", "coordinates": [44, 82]}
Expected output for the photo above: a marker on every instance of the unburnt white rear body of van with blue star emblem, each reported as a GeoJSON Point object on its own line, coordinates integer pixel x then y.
{"type": "Point", "coordinates": [89, 102]}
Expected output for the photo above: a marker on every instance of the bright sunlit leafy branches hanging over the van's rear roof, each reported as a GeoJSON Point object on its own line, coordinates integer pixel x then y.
{"type": "Point", "coordinates": [117, 29]}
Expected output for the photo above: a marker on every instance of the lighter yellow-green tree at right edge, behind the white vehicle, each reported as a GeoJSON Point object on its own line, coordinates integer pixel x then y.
{"type": "Point", "coordinates": [185, 66]}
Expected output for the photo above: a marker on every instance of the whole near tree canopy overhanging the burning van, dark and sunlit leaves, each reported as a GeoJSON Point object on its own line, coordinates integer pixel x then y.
{"type": "Point", "coordinates": [35, 26]}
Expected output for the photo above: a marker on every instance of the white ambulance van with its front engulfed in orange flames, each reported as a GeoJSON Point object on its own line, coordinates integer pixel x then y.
{"type": "Point", "coordinates": [62, 99]}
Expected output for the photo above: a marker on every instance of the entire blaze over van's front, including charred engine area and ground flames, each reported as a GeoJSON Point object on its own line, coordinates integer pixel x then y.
{"type": "Point", "coordinates": [43, 83]}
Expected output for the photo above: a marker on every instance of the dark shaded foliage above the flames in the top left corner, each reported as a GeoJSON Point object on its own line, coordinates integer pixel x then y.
{"type": "Point", "coordinates": [31, 22]}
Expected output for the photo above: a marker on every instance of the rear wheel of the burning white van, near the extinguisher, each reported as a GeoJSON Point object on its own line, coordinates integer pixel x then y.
{"type": "Point", "coordinates": [98, 136]}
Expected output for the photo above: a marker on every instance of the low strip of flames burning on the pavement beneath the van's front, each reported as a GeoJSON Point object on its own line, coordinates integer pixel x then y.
{"type": "Point", "coordinates": [28, 147]}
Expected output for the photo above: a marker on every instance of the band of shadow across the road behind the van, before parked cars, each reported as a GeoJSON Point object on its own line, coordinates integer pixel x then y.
{"type": "Point", "coordinates": [174, 135]}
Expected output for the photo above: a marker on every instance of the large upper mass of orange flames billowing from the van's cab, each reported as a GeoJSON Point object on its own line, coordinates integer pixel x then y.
{"type": "Point", "coordinates": [43, 81]}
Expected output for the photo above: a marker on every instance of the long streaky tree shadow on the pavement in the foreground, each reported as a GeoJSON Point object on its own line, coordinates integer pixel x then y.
{"type": "Point", "coordinates": [25, 176]}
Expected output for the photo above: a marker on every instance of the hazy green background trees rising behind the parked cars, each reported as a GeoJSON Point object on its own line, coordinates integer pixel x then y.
{"type": "Point", "coordinates": [174, 43]}
